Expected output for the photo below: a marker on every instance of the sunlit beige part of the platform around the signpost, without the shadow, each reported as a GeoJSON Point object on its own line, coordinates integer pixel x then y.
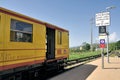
{"type": "Point", "coordinates": [111, 70]}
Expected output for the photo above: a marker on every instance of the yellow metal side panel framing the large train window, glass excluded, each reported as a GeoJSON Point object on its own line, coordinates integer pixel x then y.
{"type": "Point", "coordinates": [17, 52]}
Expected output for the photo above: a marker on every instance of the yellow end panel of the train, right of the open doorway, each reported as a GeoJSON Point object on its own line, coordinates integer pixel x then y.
{"type": "Point", "coordinates": [62, 50]}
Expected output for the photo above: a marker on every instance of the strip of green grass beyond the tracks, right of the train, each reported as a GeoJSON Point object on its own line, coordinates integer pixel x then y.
{"type": "Point", "coordinates": [77, 55]}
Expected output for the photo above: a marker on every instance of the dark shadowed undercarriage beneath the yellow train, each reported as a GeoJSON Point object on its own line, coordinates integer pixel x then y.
{"type": "Point", "coordinates": [32, 72]}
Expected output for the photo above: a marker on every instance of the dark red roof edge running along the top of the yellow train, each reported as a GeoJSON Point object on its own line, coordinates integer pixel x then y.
{"type": "Point", "coordinates": [6, 11]}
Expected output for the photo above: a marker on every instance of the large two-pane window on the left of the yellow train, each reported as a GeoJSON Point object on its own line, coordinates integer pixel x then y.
{"type": "Point", "coordinates": [20, 31]}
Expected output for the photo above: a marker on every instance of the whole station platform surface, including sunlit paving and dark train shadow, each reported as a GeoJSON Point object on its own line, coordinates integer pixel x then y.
{"type": "Point", "coordinates": [92, 71]}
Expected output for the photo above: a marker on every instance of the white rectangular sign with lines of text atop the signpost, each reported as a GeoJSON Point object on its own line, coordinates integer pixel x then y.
{"type": "Point", "coordinates": [103, 19]}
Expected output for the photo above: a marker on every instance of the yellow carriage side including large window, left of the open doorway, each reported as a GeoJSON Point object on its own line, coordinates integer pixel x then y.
{"type": "Point", "coordinates": [21, 45]}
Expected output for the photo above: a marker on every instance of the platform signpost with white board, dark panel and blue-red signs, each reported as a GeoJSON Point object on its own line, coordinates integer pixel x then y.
{"type": "Point", "coordinates": [102, 20]}
